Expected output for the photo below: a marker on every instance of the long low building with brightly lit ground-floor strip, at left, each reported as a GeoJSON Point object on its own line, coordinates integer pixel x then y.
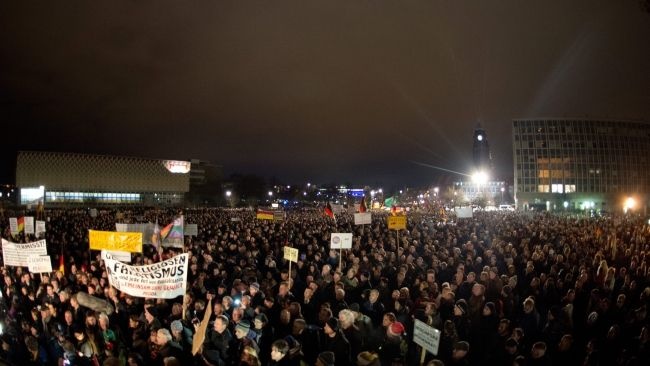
{"type": "Point", "coordinates": [72, 178]}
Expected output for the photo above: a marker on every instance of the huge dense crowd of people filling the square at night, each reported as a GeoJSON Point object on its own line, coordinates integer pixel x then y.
{"type": "Point", "coordinates": [502, 288]}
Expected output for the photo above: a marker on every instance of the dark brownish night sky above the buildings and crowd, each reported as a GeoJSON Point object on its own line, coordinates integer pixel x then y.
{"type": "Point", "coordinates": [320, 91]}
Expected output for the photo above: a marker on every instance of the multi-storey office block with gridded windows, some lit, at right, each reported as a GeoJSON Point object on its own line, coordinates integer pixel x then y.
{"type": "Point", "coordinates": [574, 164]}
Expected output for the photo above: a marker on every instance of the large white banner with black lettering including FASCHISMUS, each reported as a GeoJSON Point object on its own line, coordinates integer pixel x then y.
{"type": "Point", "coordinates": [162, 280]}
